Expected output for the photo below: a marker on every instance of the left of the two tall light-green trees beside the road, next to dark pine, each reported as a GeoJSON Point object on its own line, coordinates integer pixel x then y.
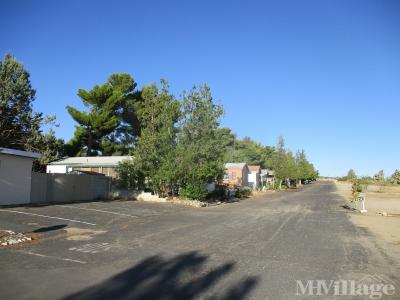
{"type": "Point", "coordinates": [154, 154]}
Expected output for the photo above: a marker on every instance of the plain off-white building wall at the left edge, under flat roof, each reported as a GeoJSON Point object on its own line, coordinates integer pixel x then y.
{"type": "Point", "coordinates": [15, 179]}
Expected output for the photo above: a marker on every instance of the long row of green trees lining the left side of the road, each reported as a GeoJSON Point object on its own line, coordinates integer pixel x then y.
{"type": "Point", "coordinates": [177, 144]}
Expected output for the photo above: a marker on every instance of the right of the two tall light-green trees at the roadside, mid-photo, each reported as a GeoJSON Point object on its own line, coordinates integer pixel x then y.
{"type": "Point", "coordinates": [200, 150]}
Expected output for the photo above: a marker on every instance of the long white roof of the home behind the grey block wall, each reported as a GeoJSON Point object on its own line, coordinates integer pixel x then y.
{"type": "Point", "coordinates": [91, 160]}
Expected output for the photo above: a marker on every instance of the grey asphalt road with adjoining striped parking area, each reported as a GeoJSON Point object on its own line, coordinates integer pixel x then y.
{"type": "Point", "coordinates": [256, 249]}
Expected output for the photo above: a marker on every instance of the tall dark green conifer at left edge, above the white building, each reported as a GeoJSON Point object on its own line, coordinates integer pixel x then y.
{"type": "Point", "coordinates": [18, 123]}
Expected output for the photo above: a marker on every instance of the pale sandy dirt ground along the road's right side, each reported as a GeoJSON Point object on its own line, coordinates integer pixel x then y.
{"type": "Point", "coordinates": [383, 216]}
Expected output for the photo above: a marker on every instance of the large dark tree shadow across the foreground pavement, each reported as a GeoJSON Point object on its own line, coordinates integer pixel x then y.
{"type": "Point", "coordinates": [181, 277]}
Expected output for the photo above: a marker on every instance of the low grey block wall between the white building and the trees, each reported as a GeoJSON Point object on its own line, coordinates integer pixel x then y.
{"type": "Point", "coordinates": [64, 188]}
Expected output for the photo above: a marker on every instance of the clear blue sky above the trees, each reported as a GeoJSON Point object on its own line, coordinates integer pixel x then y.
{"type": "Point", "coordinates": [325, 74]}
